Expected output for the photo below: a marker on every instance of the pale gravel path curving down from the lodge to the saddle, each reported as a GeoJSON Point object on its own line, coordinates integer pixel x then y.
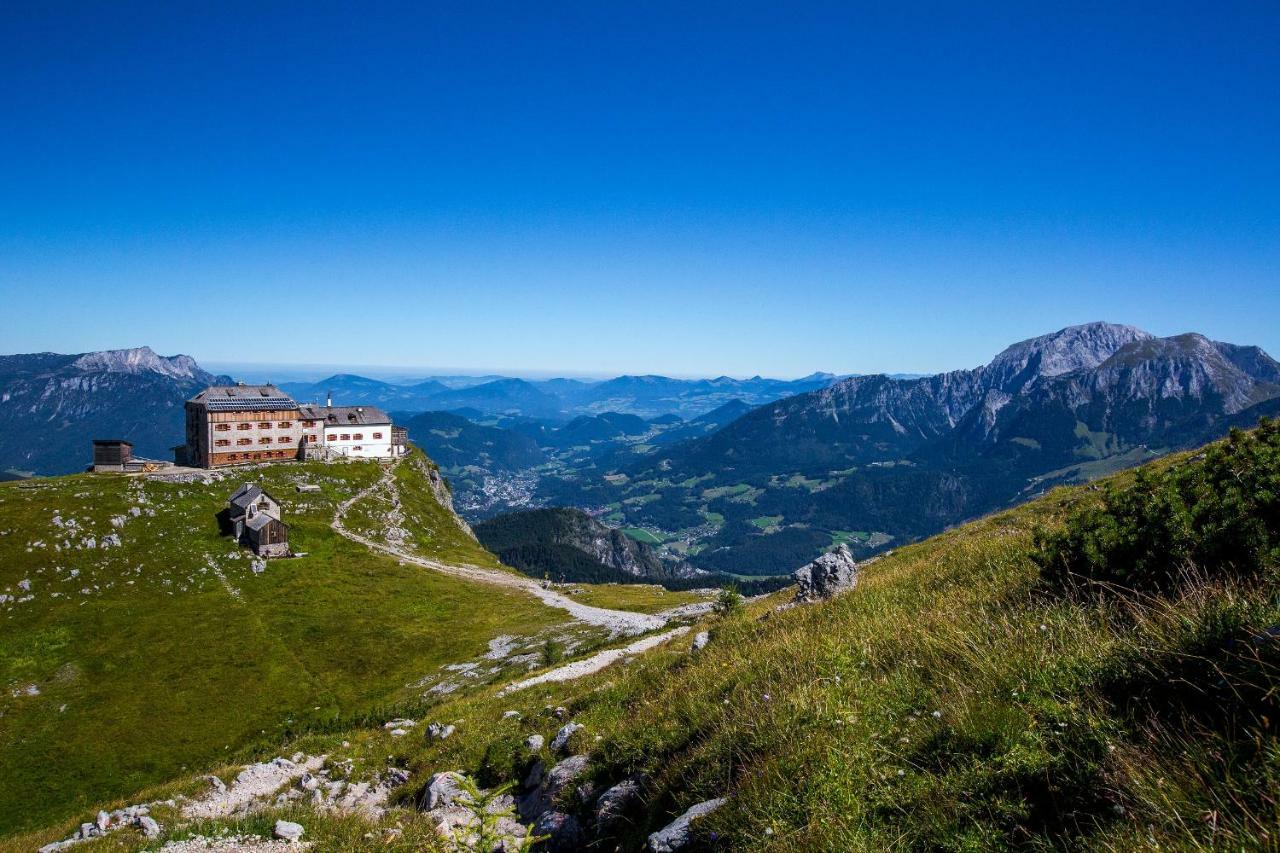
{"type": "Point", "coordinates": [619, 622]}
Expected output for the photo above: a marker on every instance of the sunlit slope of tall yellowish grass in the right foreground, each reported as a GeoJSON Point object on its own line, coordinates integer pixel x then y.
{"type": "Point", "coordinates": [944, 705]}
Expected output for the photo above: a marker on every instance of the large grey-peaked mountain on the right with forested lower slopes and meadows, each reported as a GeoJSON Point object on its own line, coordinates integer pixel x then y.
{"type": "Point", "coordinates": [875, 460]}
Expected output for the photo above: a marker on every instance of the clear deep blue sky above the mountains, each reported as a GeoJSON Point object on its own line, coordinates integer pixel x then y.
{"type": "Point", "coordinates": [606, 188]}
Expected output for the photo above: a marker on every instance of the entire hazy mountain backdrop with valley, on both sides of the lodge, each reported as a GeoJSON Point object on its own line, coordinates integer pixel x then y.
{"type": "Point", "coordinates": [753, 485]}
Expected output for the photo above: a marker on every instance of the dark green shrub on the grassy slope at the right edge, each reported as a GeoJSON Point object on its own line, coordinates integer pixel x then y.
{"type": "Point", "coordinates": [1218, 514]}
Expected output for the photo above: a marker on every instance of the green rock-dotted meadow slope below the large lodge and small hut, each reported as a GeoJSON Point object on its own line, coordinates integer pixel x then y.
{"type": "Point", "coordinates": [159, 668]}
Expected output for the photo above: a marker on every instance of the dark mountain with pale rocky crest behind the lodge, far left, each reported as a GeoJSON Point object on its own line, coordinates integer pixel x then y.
{"type": "Point", "coordinates": [53, 405]}
